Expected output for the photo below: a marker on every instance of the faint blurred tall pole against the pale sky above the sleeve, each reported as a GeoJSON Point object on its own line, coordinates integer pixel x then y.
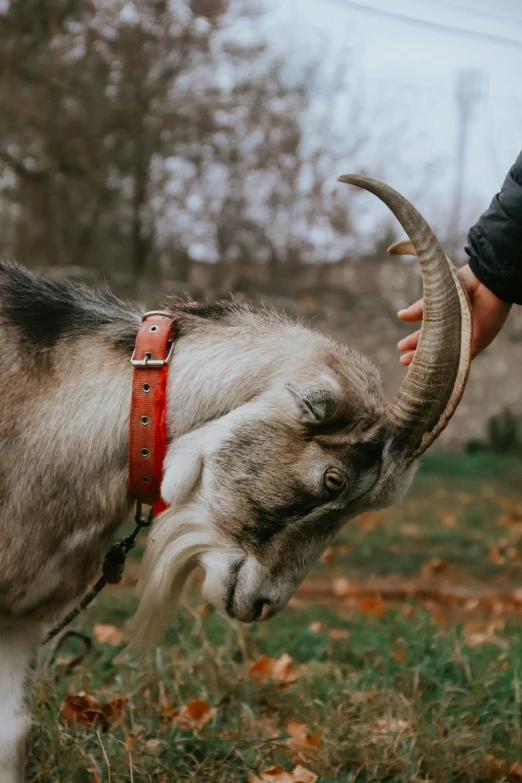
{"type": "Point", "coordinates": [470, 88]}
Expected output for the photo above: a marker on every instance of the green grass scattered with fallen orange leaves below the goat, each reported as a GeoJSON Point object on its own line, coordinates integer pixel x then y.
{"type": "Point", "coordinates": [397, 693]}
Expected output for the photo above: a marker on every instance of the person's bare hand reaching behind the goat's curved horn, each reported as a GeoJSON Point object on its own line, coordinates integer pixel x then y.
{"type": "Point", "coordinates": [488, 311]}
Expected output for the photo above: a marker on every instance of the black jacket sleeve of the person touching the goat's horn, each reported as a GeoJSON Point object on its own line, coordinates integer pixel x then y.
{"type": "Point", "coordinates": [495, 242]}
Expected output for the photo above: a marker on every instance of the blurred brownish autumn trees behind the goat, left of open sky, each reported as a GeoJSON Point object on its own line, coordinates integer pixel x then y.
{"type": "Point", "coordinates": [138, 137]}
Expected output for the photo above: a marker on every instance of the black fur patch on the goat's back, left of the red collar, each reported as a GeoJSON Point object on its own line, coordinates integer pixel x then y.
{"type": "Point", "coordinates": [45, 311]}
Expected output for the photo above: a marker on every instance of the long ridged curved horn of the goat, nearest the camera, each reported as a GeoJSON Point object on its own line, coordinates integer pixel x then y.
{"type": "Point", "coordinates": [437, 375]}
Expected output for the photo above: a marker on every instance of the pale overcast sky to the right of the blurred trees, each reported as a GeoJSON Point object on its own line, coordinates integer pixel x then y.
{"type": "Point", "coordinates": [422, 64]}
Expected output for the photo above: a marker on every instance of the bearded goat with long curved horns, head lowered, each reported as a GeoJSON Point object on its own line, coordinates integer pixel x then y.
{"type": "Point", "coordinates": [277, 436]}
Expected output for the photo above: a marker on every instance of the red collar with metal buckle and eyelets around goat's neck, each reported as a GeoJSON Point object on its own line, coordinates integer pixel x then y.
{"type": "Point", "coordinates": [147, 430]}
